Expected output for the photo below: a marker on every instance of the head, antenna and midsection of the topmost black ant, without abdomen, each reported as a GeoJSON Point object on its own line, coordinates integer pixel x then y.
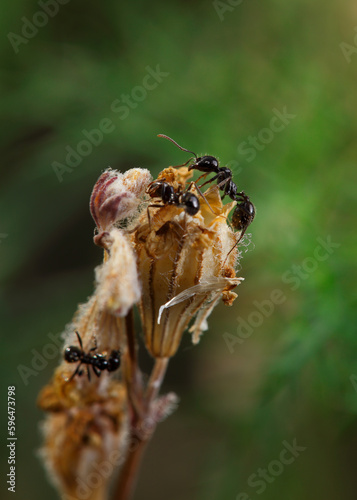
{"type": "Point", "coordinates": [208, 165]}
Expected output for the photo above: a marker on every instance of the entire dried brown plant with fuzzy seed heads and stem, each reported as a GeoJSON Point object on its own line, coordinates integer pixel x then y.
{"type": "Point", "coordinates": [174, 267]}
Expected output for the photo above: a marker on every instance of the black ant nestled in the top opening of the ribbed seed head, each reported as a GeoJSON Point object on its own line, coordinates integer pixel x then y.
{"type": "Point", "coordinates": [164, 190]}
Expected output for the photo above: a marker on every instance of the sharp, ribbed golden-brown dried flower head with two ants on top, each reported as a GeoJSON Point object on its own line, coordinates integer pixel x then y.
{"type": "Point", "coordinates": [182, 266]}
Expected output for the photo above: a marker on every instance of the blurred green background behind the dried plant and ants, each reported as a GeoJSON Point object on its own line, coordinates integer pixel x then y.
{"type": "Point", "coordinates": [229, 66]}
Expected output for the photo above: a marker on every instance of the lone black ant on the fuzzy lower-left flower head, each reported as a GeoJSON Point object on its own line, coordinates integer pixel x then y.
{"type": "Point", "coordinates": [99, 362]}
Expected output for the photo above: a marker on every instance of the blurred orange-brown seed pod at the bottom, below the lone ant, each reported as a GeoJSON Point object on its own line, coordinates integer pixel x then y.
{"type": "Point", "coordinates": [85, 438]}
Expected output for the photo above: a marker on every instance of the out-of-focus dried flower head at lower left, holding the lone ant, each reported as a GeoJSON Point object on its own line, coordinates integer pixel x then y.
{"type": "Point", "coordinates": [87, 425]}
